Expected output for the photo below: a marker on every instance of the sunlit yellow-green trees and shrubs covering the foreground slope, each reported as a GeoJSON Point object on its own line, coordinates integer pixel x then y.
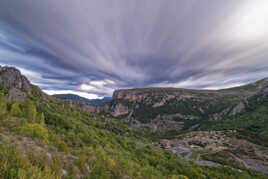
{"type": "Point", "coordinates": [104, 148]}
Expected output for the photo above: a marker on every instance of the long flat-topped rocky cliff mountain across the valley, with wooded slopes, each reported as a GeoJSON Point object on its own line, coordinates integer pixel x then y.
{"type": "Point", "coordinates": [172, 109]}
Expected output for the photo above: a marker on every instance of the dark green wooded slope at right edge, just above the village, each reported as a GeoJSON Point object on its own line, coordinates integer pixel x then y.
{"type": "Point", "coordinates": [251, 125]}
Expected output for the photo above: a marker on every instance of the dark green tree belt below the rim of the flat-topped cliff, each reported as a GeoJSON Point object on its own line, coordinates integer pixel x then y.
{"type": "Point", "coordinates": [202, 107]}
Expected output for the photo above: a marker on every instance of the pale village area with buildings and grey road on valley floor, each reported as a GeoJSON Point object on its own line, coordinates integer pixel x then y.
{"type": "Point", "coordinates": [216, 148]}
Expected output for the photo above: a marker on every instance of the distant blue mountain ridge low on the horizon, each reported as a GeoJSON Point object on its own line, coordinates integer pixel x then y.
{"type": "Point", "coordinates": [79, 98]}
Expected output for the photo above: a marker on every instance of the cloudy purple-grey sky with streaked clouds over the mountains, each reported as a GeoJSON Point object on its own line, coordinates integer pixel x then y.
{"type": "Point", "coordinates": [92, 48]}
